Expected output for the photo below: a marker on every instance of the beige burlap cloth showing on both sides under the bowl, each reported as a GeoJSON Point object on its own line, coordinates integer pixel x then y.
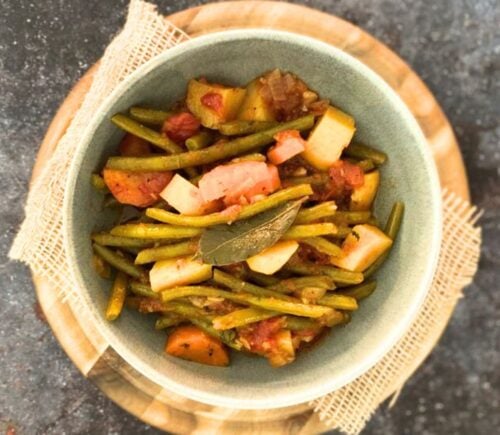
{"type": "Point", "coordinates": [40, 240]}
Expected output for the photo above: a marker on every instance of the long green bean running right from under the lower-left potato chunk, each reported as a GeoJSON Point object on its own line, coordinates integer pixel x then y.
{"type": "Point", "coordinates": [271, 304]}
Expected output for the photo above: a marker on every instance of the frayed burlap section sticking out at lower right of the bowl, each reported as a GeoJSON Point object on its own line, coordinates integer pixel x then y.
{"type": "Point", "coordinates": [349, 408]}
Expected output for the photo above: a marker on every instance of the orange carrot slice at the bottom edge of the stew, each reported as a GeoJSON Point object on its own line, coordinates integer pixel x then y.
{"type": "Point", "coordinates": [191, 343]}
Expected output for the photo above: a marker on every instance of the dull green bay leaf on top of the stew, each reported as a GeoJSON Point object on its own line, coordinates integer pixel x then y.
{"type": "Point", "coordinates": [227, 244]}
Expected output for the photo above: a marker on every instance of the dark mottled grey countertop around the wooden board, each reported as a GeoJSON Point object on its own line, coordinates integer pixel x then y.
{"type": "Point", "coordinates": [454, 46]}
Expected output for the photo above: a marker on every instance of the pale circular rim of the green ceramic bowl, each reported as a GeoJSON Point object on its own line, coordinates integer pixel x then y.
{"type": "Point", "coordinates": [384, 345]}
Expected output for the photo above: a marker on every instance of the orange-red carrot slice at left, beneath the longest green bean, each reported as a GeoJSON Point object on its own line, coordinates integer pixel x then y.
{"type": "Point", "coordinates": [140, 189]}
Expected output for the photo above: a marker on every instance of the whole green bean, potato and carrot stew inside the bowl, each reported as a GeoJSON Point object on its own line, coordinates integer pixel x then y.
{"type": "Point", "coordinates": [247, 219]}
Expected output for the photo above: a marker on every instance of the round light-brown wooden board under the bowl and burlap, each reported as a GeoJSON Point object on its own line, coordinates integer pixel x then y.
{"type": "Point", "coordinates": [88, 349]}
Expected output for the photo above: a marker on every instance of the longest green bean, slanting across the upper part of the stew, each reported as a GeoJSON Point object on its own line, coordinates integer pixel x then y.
{"type": "Point", "coordinates": [210, 154]}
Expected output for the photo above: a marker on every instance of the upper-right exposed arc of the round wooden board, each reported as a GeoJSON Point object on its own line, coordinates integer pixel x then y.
{"type": "Point", "coordinates": [333, 30]}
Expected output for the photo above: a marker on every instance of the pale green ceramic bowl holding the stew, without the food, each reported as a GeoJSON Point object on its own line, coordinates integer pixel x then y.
{"type": "Point", "coordinates": [382, 120]}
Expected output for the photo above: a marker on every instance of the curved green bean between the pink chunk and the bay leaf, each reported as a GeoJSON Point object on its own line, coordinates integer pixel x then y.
{"type": "Point", "coordinates": [247, 211]}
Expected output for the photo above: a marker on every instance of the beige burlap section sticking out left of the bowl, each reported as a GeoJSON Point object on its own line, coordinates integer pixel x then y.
{"type": "Point", "coordinates": [39, 242]}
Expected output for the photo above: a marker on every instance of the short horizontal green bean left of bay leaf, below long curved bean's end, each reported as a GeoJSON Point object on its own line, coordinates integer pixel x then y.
{"type": "Point", "coordinates": [155, 231]}
